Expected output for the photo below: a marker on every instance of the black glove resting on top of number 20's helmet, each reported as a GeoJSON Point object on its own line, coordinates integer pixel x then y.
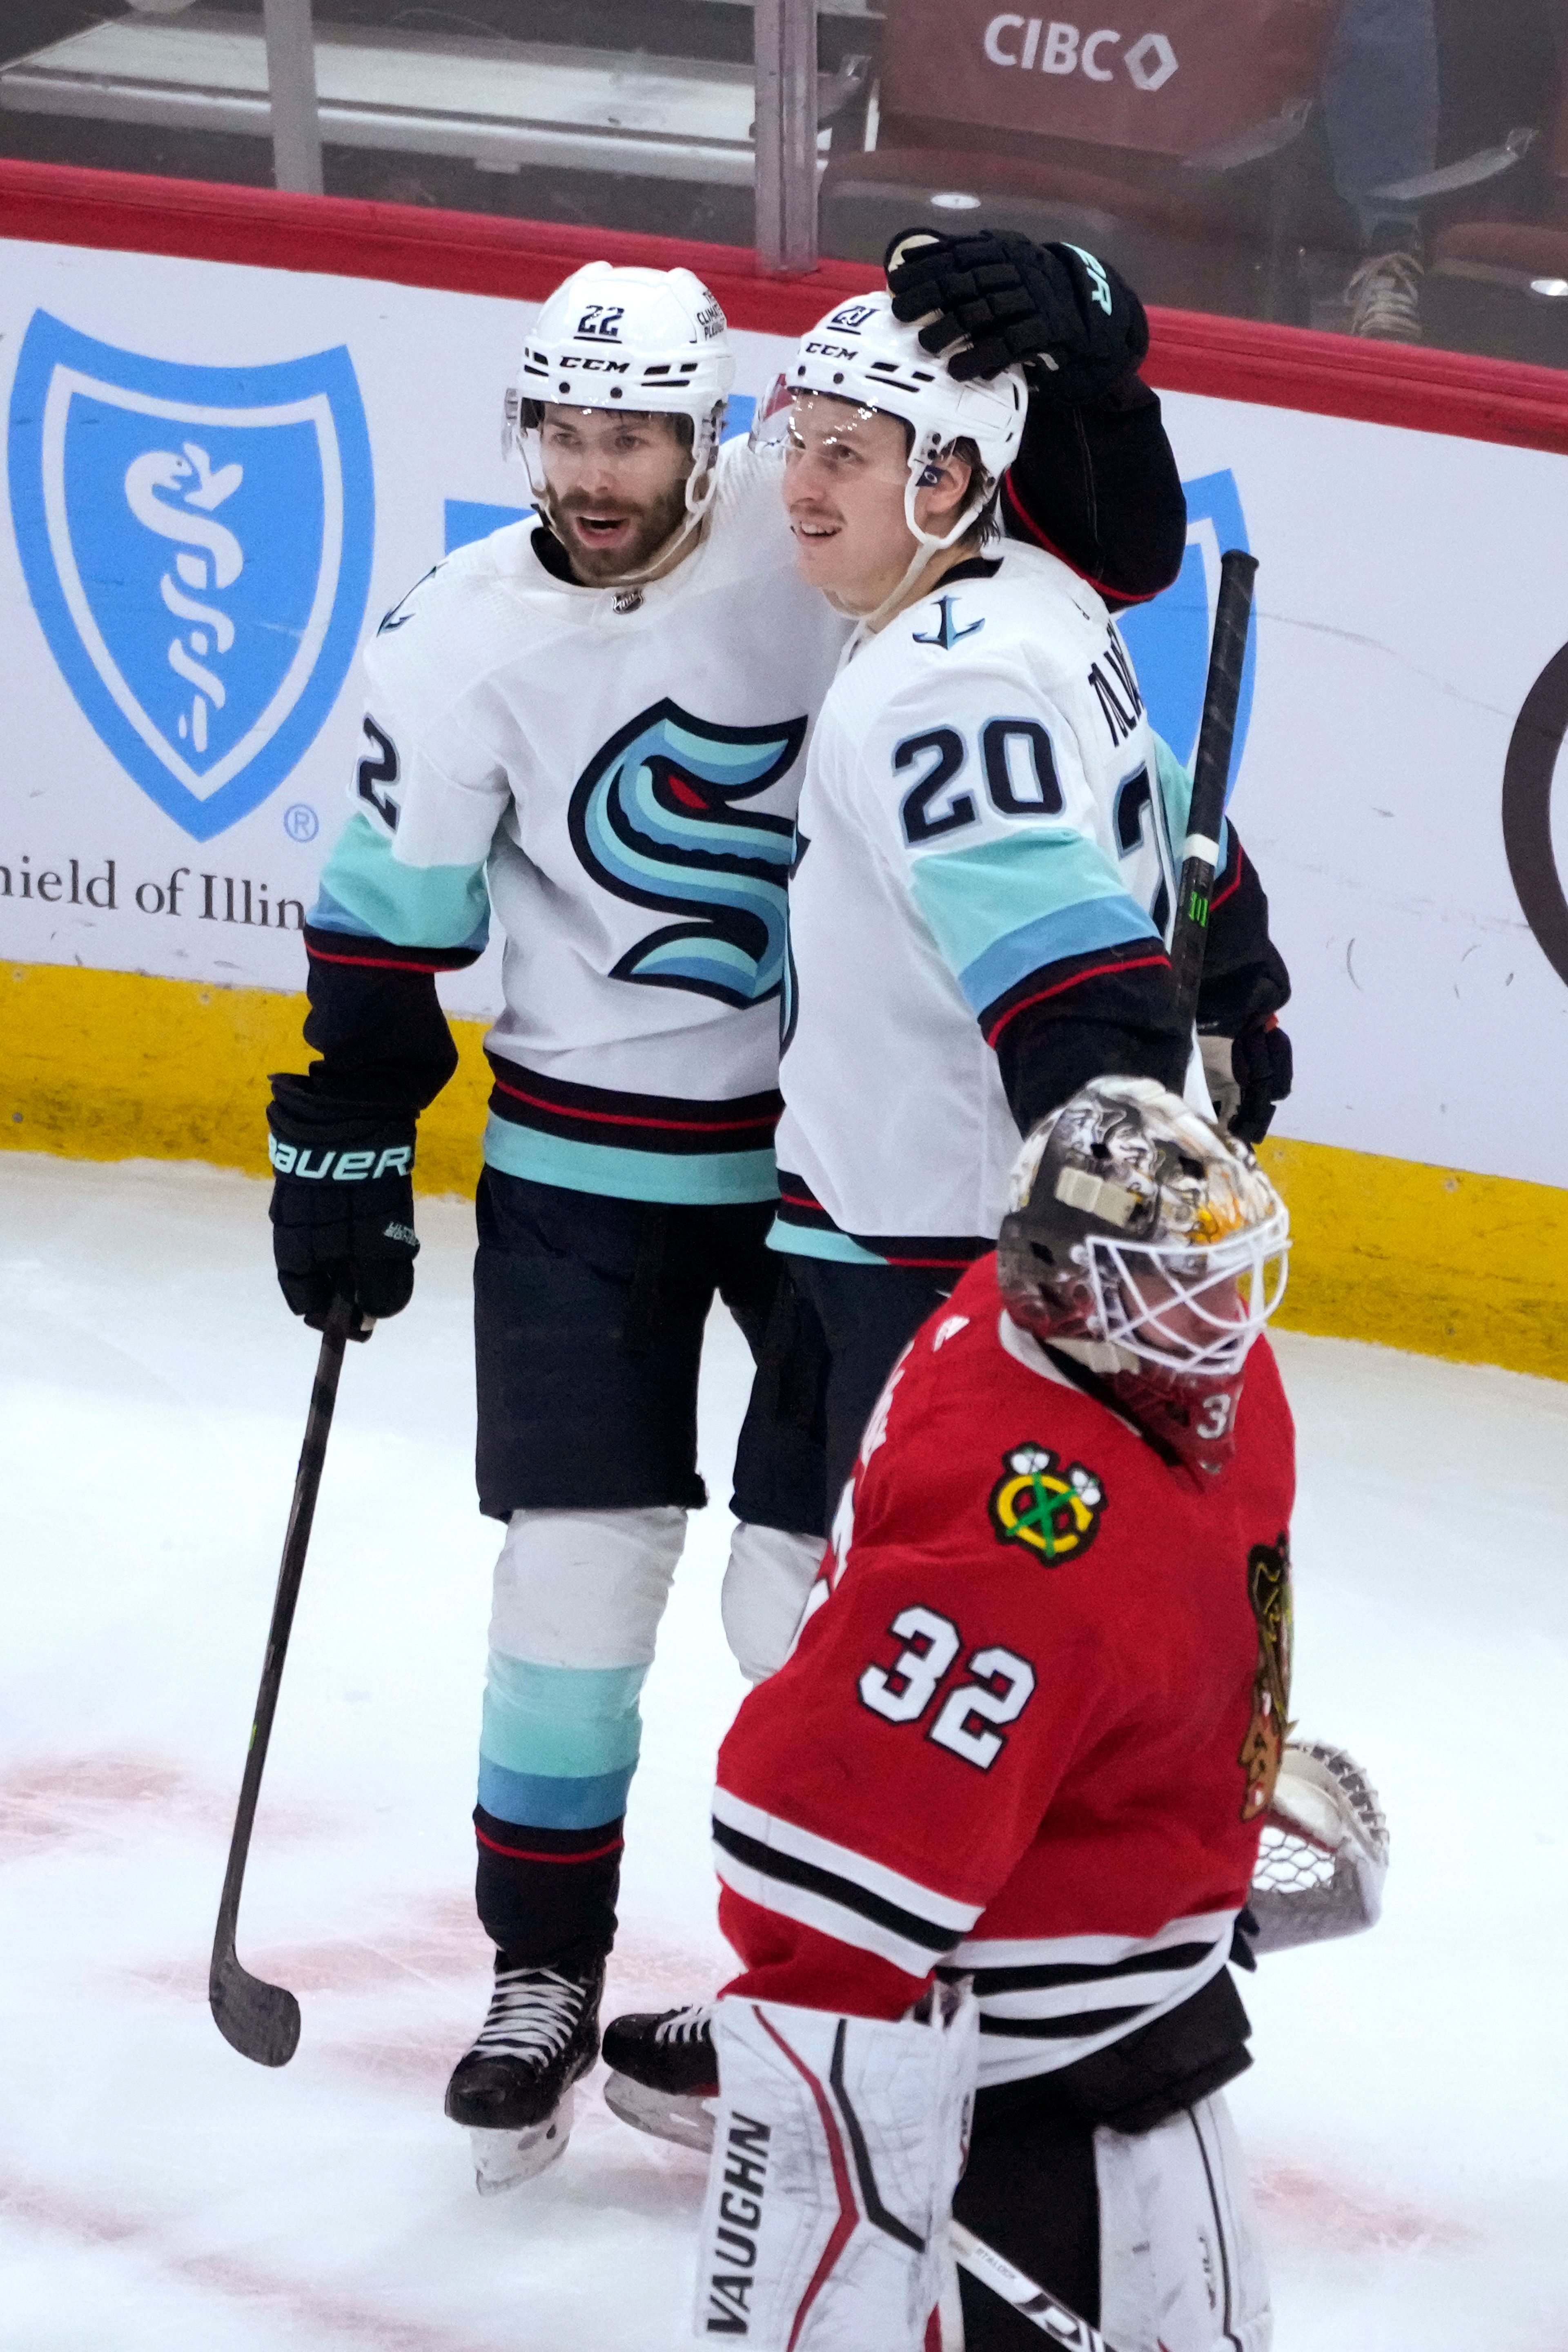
{"type": "Point", "coordinates": [1071, 319]}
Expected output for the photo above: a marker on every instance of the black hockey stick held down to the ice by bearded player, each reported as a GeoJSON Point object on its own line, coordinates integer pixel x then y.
{"type": "Point", "coordinates": [260, 2019]}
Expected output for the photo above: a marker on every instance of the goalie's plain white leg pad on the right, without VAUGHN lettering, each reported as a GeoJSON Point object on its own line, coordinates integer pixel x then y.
{"type": "Point", "coordinates": [1181, 2266]}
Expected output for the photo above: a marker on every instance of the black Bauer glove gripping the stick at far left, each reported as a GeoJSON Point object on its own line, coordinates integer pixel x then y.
{"type": "Point", "coordinates": [342, 1203]}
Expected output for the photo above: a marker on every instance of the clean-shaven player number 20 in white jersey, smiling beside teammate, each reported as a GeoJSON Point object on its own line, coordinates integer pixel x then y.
{"type": "Point", "coordinates": [984, 871]}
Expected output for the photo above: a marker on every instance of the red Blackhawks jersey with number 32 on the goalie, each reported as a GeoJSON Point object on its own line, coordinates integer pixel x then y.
{"type": "Point", "coordinates": [1036, 1713]}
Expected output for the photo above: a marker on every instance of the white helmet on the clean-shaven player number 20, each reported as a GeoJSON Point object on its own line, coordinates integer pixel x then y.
{"type": "Point", "coordinates": [866, 356]}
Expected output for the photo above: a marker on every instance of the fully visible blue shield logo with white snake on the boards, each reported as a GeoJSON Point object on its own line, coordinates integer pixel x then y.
{"type": "Point", "coordinates": [196, 544]}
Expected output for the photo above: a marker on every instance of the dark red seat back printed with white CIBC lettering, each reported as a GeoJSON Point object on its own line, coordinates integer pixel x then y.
{"type": "Point", "coordinates": [1177, 79]}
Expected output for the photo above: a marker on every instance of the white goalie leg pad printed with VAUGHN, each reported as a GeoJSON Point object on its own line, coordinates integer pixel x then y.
{"type": "Point", "coordinates": [836, 2156]}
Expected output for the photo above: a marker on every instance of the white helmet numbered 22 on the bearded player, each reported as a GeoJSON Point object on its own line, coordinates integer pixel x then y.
{"type": "Point", "coordinates": [626, 340]}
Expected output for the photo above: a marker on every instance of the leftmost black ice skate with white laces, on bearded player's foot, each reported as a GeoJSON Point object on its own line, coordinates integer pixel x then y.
{"type": "Point", "coordinates": [514, 2087]}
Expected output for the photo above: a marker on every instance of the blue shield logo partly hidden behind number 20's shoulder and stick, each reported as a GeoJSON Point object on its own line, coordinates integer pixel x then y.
{"type": "Point", "coordinates": [1170, 636]}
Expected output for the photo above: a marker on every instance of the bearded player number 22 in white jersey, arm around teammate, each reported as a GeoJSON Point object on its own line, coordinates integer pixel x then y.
{"type": "Point", "coordinates": [594, 726]}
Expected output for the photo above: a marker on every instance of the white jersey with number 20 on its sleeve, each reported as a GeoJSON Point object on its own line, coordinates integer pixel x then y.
{"type": "Point", "coordinates": [984, 801]}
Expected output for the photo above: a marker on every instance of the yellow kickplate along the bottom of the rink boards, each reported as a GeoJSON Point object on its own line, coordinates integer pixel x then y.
{"type": "Point", "coordinates": [123, 1067]}
